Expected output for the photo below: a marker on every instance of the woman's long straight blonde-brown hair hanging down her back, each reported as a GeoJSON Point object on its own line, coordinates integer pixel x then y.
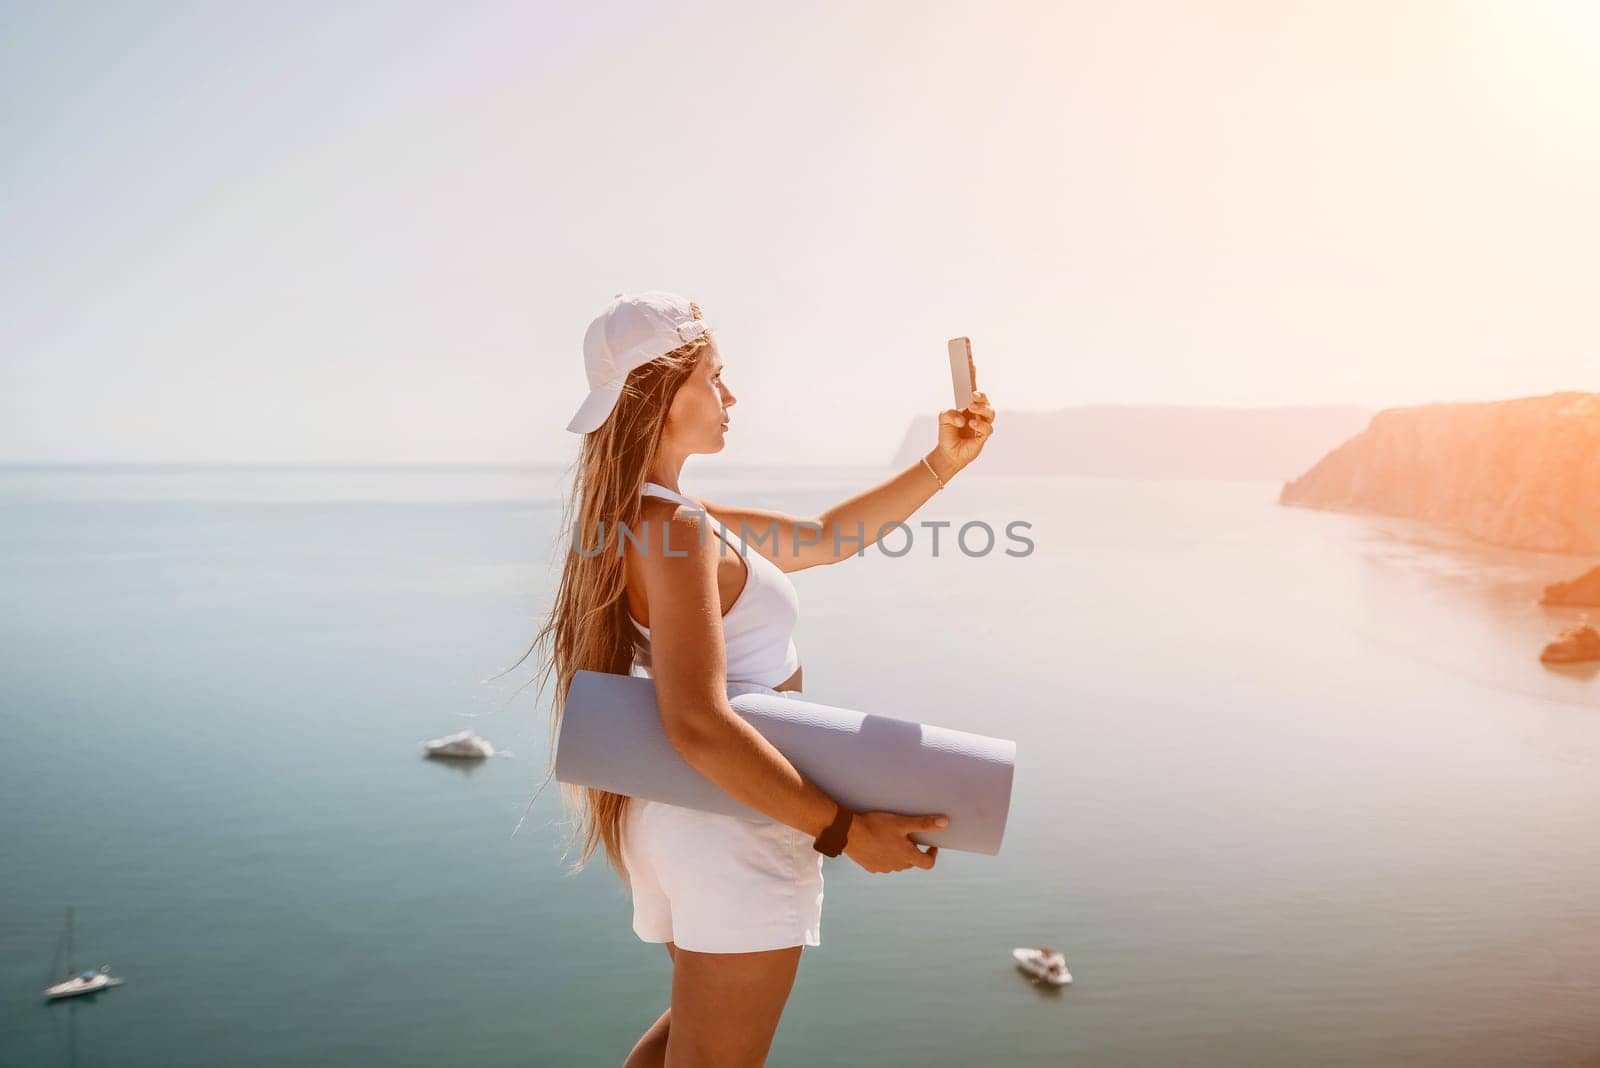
{"type": "Point", "coordinates": [588, 626]}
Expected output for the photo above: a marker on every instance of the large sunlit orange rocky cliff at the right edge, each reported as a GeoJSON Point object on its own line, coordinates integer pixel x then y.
{"type": "Point", "coordinates": [1521, 472]}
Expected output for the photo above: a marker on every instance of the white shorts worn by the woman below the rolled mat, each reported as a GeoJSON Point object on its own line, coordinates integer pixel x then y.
{"type": "Point", "coordinates": [716, 883]}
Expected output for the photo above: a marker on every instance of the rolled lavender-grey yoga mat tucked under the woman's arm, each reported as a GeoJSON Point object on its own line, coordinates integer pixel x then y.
{"type": "Point", "coordinates": [612, 738]}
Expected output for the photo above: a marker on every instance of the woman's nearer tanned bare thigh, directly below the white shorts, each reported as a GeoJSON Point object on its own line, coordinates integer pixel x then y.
{"type": "Point", "coordinates": [726, 1006]}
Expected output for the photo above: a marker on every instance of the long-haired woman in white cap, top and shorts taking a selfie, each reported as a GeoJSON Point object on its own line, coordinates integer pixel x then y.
{"type": "Point", "coordinates": [682, 596]}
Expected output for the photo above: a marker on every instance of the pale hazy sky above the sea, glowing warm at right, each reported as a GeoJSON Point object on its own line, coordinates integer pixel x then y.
{"type": "Point", "coordinates": [362, 234]}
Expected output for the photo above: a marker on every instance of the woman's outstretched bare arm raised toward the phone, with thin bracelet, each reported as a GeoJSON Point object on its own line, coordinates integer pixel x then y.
{"type": "Point", "coordinates": [850, 527]}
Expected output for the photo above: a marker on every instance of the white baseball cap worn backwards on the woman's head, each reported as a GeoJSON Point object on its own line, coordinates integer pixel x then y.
{"type": "Point", "coordinates": [630, 333]}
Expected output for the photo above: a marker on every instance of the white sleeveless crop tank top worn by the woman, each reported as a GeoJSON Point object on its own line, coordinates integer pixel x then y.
{"type": "Point", "coordinates": [759, 629]}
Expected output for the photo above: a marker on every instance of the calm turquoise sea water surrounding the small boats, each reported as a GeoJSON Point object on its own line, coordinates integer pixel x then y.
{"type": "Point", "coordinates": [1292, 786]}
